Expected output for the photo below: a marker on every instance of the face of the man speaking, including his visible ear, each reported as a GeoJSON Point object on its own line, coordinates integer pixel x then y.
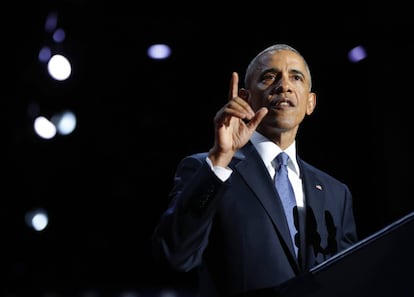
{"type": "Point", "coordinates": [281, 83]}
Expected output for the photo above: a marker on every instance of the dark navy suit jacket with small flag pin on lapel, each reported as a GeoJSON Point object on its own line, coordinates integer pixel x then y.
{"type": "Point", "coordinates": [235, 233]}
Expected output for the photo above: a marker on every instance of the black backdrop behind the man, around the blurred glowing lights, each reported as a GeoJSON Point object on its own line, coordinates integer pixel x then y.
{"type": "Point", "coordinates": [105, 185]}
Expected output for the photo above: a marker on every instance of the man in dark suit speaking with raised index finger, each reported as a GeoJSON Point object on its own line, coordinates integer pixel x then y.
{"type": "Point", "coordinates": [226, 216]}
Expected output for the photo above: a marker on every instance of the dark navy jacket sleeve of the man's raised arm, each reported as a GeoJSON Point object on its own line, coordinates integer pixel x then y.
{"type": "Point", "coordinates": [182, 233]}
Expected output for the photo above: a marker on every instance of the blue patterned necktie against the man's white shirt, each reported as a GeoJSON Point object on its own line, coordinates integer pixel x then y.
{"type": "Point", "coordinates": [287, 196]}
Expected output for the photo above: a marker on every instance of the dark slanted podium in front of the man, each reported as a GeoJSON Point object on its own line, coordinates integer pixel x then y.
{"type": "Point", "coordinates": [380, 265]}
